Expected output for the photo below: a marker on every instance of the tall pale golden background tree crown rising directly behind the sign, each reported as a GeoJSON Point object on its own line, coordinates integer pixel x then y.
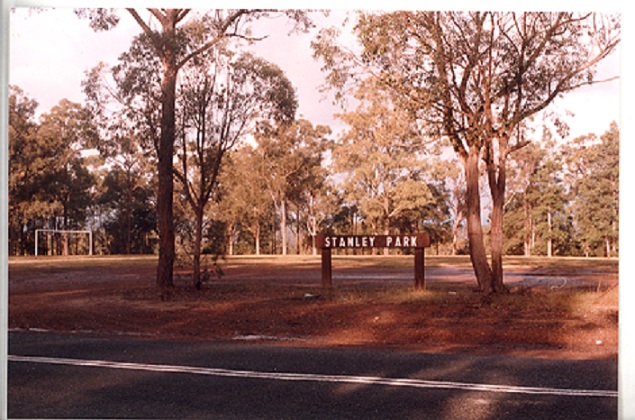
{"type": "Point", "coordinates": [381, 160]}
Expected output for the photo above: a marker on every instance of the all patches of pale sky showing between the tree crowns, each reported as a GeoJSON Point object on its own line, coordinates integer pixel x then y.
{"type": "Point", "coordinates": [50, 50]}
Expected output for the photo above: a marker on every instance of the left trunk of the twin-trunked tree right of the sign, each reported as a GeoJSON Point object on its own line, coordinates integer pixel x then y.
{"type": "Point", "coordinates": [478, 254]}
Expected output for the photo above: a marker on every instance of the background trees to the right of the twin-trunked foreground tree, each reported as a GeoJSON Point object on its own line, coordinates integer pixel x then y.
{"type": "Point", "coordinates": [569, 197]}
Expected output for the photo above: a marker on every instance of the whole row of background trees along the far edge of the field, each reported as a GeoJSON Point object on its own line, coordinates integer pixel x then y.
{"type": "Point", "coordinates": [277, 191]}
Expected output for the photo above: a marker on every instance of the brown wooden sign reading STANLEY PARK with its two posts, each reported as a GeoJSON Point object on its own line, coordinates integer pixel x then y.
{"type": "Point", "coordinates": [418, 241]}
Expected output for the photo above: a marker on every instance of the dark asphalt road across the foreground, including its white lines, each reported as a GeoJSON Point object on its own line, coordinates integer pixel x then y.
{"type": "Point", "coordinates": [65, 376]}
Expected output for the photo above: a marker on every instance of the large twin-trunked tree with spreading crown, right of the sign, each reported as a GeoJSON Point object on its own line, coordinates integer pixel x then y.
{"type": "Point", "coordinates": [474, 79]}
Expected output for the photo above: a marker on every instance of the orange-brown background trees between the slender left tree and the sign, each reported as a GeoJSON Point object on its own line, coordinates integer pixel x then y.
{"type": "Point", "coordinates": [282, 175]}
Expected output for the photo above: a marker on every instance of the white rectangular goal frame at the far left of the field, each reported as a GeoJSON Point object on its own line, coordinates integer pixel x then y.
{"type": "Point", "coordinates": [63, 242]}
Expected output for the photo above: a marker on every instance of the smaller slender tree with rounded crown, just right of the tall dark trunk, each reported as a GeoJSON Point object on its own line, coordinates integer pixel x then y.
{"type": "Point", "coordinates": [221, 99]}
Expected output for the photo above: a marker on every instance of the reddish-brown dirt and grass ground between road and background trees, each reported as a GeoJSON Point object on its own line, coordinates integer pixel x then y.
{"type": "Point", "coordinates": [556, 309]}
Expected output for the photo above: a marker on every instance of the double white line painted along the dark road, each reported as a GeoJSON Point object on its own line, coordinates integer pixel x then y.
{"type": "Point", "coordinates": [367, 380]}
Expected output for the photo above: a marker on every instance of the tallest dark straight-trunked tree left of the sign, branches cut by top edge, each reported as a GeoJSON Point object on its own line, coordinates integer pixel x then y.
{"type": "Point", "coordinates": [178, 36]}
